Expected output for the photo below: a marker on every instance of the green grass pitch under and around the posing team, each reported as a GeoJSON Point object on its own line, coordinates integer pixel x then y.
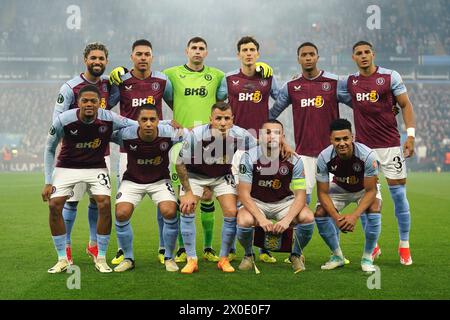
{"type": "Point", "coordinates": [27, 252]}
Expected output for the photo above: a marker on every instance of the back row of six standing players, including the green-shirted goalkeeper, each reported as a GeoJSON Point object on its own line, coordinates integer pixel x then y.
{"type": "Point", "coordinates": [314, 95]}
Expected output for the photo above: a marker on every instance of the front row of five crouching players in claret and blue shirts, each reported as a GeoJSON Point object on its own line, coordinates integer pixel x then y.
{"type": "Point", "coordinates": [269, 180]}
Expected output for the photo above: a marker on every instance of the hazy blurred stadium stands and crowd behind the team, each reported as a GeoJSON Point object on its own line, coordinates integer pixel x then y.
{"type": "Point", "coordinates": [32, 34]}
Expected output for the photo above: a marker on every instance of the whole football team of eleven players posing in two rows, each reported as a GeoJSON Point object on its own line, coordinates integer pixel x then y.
{"type": "Point", "coordinates": [225, 153]}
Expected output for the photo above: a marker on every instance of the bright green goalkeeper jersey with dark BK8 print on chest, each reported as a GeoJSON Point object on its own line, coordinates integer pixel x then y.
{"type": "Point", "coordinates": [194, 93]}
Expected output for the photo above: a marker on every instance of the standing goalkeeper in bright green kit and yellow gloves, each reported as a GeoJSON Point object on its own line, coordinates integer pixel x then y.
{"type": "Point", "coordinates": [196, 88]}
